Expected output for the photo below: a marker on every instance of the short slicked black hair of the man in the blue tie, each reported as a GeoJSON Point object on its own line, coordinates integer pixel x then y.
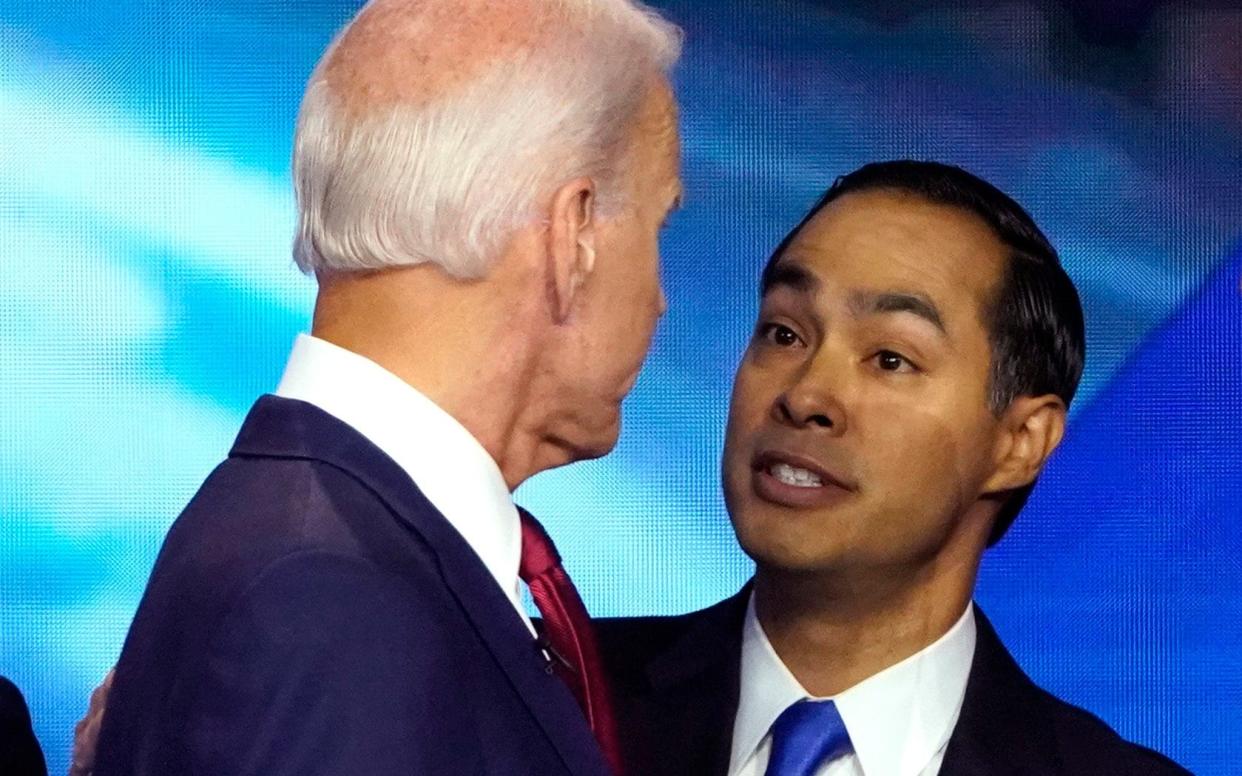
{"type": "Point", "coordinates": [1035, 322]}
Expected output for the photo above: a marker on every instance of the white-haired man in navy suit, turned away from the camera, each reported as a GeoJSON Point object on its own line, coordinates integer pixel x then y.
{"type": "Point", "coordinates": [481, 188]}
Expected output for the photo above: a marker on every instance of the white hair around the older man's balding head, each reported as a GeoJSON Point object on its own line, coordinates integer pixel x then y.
{"type": "Point", "coordinates": [448, 181]}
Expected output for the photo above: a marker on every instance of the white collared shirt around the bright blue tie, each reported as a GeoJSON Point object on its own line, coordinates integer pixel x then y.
{"type": "Point", "coordinates": [900, 721]}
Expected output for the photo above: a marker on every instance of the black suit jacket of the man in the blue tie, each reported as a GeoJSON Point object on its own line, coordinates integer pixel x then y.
{"type": "Point", "coordinates": [676, 680]}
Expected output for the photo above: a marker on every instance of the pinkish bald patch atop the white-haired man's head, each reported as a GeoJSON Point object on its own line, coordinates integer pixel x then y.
{"type": "Point", "coordinates": [414, 52]}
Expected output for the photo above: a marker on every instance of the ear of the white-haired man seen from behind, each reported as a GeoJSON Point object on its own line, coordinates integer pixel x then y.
{"type": "Point", "coordinates": [571, 243]}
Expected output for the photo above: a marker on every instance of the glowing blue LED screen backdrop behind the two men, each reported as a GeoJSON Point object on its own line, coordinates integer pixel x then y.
{"type": "Point", "coordinates": [147, 297]}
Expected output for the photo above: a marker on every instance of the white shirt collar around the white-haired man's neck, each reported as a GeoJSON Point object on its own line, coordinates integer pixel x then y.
{"type": "Point", "coordinates": [448, 464]}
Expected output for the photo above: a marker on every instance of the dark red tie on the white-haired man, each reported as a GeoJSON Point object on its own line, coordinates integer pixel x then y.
{"type": "Point", "coordinates": [569, 634]}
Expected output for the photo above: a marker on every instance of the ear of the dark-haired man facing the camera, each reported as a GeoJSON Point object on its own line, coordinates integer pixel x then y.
{"type": "Point", "coordinates": [1033, 426]}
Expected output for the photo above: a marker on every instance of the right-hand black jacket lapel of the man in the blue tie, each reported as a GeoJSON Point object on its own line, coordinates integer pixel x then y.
{"type": "Point", "coordinates": [1004, 727]}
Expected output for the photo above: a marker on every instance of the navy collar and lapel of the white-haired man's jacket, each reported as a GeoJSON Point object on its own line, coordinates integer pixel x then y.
{"type": "Point", "coordinates": [286, 428]}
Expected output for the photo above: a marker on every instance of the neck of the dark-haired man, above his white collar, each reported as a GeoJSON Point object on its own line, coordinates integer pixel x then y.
{"type": "Point", "coordinates": [835, 631]}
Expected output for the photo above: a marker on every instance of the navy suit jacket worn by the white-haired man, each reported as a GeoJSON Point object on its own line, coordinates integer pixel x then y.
{"type": "Point", "coordinates": [311, 613]}
